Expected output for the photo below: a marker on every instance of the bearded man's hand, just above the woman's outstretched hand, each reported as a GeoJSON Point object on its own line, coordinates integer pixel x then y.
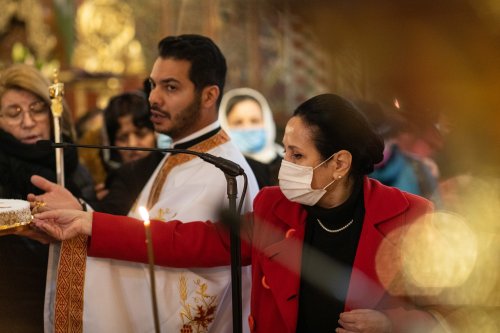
{"type": "Point", "coordinates": [55, 196]}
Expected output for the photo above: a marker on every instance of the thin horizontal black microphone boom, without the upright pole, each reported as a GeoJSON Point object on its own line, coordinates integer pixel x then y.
{"type": "Point", "coordinates": [230, 168]}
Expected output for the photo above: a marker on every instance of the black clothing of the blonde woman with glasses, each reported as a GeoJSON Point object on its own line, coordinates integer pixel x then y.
{"type": "Point", "coordinates": [23, 262]}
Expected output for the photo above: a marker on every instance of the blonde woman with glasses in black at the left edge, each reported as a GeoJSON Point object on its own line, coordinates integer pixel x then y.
{"type": "Point", "coordinates": [25, 118]}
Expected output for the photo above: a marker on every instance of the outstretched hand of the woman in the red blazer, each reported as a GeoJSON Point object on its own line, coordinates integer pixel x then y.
{"type": "Point", "coordinates": [64, 224]}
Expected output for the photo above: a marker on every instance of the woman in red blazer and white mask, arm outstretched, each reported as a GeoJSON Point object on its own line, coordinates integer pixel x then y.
{"type": "Point", "coordinates": [325, 246]}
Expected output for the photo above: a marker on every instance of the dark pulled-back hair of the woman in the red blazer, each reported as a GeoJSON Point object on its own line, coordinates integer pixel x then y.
{"type": "Point", "coordinates": [337, 124]}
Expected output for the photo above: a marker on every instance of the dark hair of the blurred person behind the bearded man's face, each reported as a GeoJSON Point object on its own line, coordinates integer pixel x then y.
{"type": "Point", "coordinates": [131, 103]}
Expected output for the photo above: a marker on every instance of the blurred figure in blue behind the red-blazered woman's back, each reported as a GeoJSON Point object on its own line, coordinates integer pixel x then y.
{"type": "Point", "coordinates": [402, 169]}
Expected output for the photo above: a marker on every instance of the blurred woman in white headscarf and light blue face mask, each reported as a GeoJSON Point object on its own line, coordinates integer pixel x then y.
{"type": "Point", "coordinates": [245, 114]}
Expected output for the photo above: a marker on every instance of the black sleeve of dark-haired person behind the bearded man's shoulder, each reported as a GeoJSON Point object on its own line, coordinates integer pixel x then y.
{"type": "Point", "coordinates": [126, 183]}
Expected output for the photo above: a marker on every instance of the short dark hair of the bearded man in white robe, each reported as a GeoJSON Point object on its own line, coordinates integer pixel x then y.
{"type": "Point", "coordinates": [208, 65]}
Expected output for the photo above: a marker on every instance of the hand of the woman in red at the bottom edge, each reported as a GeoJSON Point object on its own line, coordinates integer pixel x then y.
{"type": "Point", "coordinates": [364, 321]}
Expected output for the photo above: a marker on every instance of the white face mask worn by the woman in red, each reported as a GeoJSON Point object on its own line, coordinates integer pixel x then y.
{"type": "Point", "coordinates": [295, 183]}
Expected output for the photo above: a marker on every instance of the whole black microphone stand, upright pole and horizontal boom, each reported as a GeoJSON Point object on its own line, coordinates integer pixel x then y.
{"type": "Point", "coordinates": [231, 171]}
